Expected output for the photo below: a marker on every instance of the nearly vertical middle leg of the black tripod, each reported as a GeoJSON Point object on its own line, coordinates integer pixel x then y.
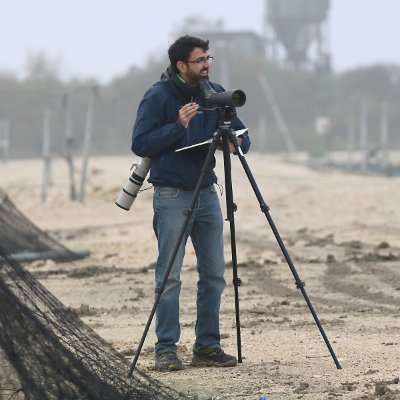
{"type": "Point", "coordinates": [230, 209]}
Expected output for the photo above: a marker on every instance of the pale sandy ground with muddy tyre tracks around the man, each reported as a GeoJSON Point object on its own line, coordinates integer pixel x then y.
{"type": "Point", "coordinates": [342, 232]}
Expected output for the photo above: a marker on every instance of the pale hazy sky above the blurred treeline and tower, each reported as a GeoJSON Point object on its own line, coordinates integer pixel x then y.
{"type": "Point", "coordinates": [103, 38]}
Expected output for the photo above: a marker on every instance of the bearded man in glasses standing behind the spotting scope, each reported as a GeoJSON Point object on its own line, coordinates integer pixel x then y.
{"type": "Point", "coordinates": [168, 118]}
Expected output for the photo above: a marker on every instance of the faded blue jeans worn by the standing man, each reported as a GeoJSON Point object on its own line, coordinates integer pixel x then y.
{"type": "Point", "coordinates": [205, 228]}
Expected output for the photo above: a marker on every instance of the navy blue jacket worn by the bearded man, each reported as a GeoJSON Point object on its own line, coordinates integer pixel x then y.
{"type": "Point", "coordinates": [157, 133]}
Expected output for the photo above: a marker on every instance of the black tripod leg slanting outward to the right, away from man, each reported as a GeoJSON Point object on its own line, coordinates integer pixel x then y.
{"type": "Point", "coordinates": [265, 209]}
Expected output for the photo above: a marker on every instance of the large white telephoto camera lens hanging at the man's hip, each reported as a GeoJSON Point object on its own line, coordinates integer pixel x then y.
{"type": "Point", "coordinates": [130, 191]}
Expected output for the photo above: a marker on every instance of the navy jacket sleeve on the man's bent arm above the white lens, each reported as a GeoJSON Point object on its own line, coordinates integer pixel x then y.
{"type": "Point", "coordinates": [152, 133]}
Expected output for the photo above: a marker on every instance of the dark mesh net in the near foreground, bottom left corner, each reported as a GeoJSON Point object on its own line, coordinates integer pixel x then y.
{"type": "Point", "coordinates": [47, 352]}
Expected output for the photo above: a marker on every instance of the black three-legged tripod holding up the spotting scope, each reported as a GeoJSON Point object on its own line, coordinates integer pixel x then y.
{"type": "Point", "coordinates": [225, 135]}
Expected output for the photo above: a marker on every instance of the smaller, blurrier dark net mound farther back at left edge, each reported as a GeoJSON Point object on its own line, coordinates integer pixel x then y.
{"type": "Point", "coordinates": [20, 236]}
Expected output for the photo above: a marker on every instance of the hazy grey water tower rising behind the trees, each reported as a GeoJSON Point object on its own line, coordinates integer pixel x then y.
{"type": "Point", "coordinates": [299, 28]}
